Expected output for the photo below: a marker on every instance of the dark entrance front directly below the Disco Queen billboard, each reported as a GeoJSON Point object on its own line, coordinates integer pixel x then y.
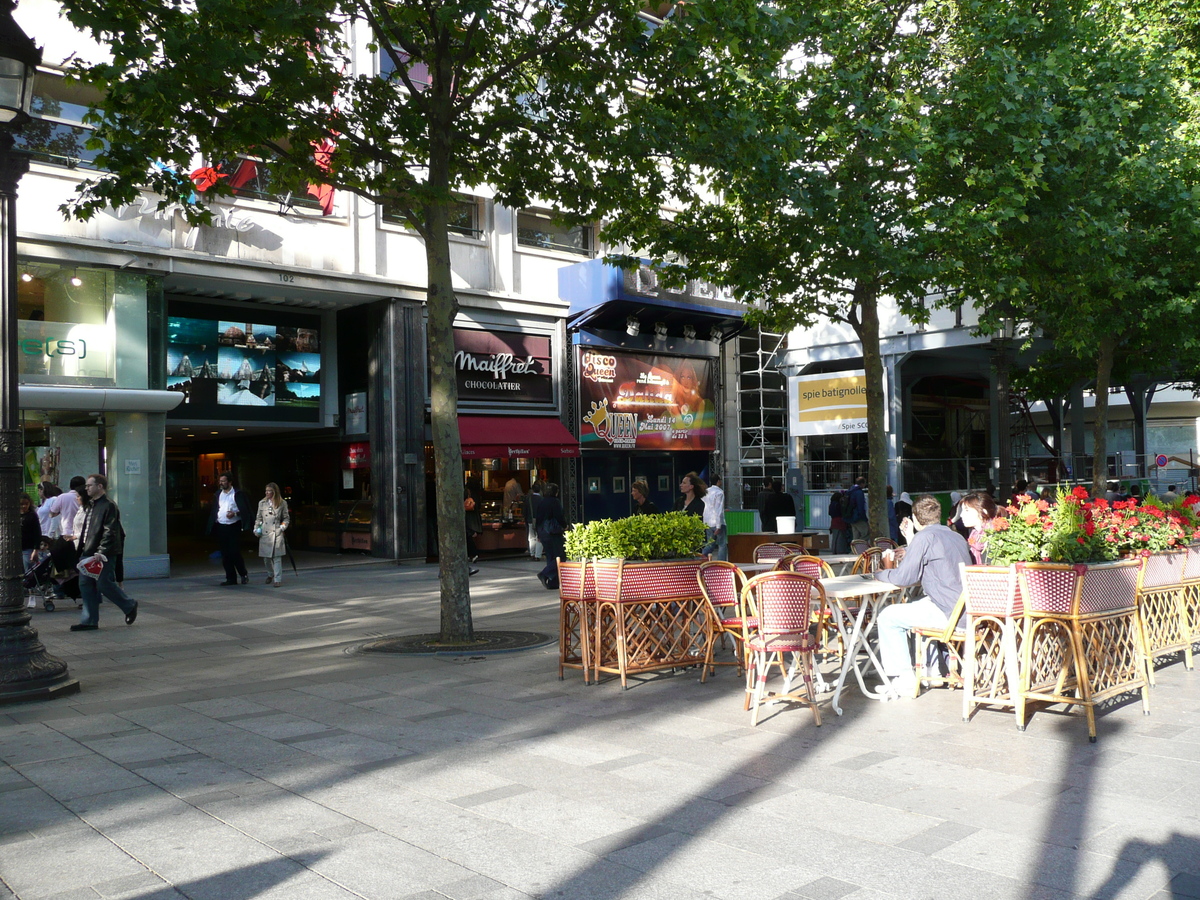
{"type": "Point", "coordinates": [608, 478]}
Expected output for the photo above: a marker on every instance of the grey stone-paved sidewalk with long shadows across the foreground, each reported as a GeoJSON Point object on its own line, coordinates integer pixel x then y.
{"type": "Point", "coordinates": [233, 745]}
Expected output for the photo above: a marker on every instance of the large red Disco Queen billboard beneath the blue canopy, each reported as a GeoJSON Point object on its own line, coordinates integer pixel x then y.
{"type": "Point", "coordinates": [646, 403]}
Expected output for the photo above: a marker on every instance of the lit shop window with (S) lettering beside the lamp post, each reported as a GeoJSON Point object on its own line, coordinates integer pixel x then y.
{"type": "Point", "coordinates": [65, 329]}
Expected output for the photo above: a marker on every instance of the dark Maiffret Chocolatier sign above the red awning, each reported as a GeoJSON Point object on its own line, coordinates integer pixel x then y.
{"type": "Point", "coordinates": [503, 367]}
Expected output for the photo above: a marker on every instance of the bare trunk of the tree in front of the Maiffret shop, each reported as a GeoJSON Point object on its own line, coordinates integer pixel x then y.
{"type": "Point", "coordinates": [443, 307]}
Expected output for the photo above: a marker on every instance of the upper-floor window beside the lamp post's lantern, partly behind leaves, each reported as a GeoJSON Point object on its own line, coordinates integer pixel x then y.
{"type": "Point", "coordinates": [58, 134]}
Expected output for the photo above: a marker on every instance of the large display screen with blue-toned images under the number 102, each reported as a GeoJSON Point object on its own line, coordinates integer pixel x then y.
{"type": "Point", "coordinates": [268, 368]}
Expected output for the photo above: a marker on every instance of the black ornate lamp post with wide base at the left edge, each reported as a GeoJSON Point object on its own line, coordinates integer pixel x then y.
{"type": "Point", "coordinates": [27, 670]}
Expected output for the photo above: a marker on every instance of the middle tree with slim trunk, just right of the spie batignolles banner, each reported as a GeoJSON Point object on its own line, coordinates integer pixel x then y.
{"type": "Point", "coordinates": [805, 200]}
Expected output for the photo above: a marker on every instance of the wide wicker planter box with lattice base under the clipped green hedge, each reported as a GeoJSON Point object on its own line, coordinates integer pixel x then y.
{"type": "Point", "coordinates": [650, 616]}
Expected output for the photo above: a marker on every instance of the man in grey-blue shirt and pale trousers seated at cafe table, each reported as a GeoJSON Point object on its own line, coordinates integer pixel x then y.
{"type": "Point", "coordinates": [933, 560]}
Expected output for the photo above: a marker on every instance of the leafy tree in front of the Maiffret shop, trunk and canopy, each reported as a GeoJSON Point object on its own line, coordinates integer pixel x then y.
{"type": "Point", "coordinates": [530, 98]}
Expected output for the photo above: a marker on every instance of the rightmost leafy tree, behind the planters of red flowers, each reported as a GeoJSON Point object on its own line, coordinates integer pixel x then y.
{"type": "Point", "coordinates": [1067, 139]}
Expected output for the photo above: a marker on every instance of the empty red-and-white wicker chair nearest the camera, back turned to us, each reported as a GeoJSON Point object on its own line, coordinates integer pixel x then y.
{"type": "Point", "coordinates": [779, 607]}
